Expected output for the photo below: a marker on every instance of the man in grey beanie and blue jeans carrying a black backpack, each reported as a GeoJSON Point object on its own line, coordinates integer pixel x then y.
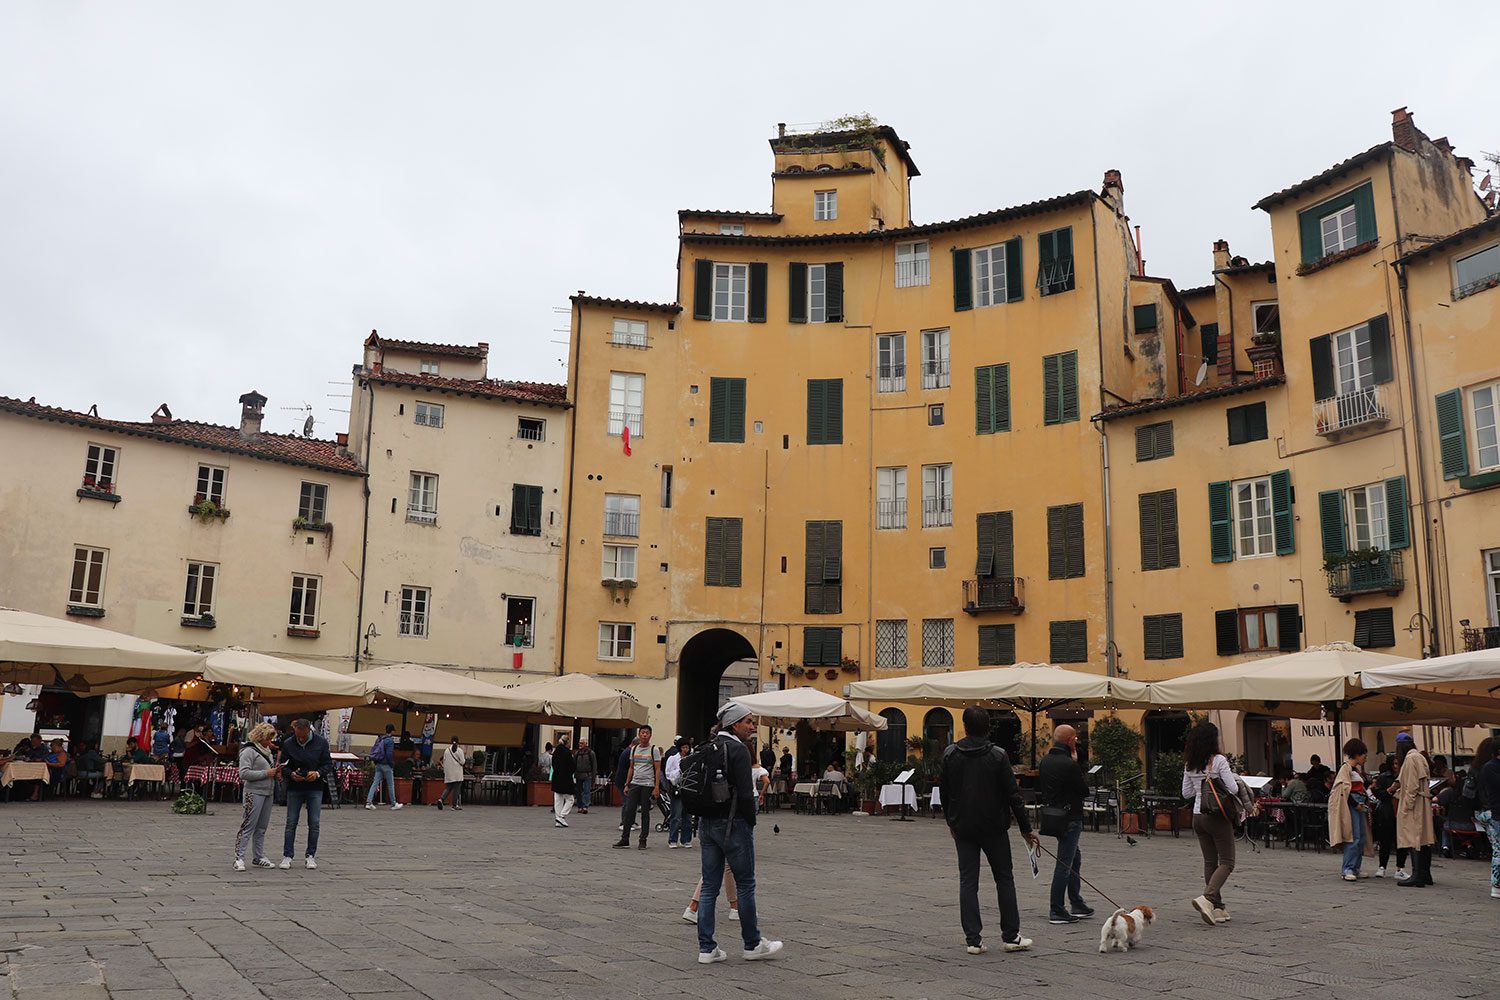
{"type": "Point", "coordinates": [727, 834]}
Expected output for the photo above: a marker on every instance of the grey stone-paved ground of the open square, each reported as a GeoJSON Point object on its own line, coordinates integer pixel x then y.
{"type": "Point", "coordinates": [128, 902]}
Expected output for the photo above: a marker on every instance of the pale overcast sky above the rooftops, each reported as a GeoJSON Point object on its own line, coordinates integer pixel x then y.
{"type": "Point", "coordinates": [199, 200]}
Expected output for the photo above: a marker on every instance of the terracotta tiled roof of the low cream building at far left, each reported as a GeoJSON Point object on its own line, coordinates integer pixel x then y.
{"type": "Point", "coordinates": [272, 448]}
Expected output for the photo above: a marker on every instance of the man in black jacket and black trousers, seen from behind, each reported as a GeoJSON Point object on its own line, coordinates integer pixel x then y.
{"type": "Point", "coordinates": [979, 800]}
